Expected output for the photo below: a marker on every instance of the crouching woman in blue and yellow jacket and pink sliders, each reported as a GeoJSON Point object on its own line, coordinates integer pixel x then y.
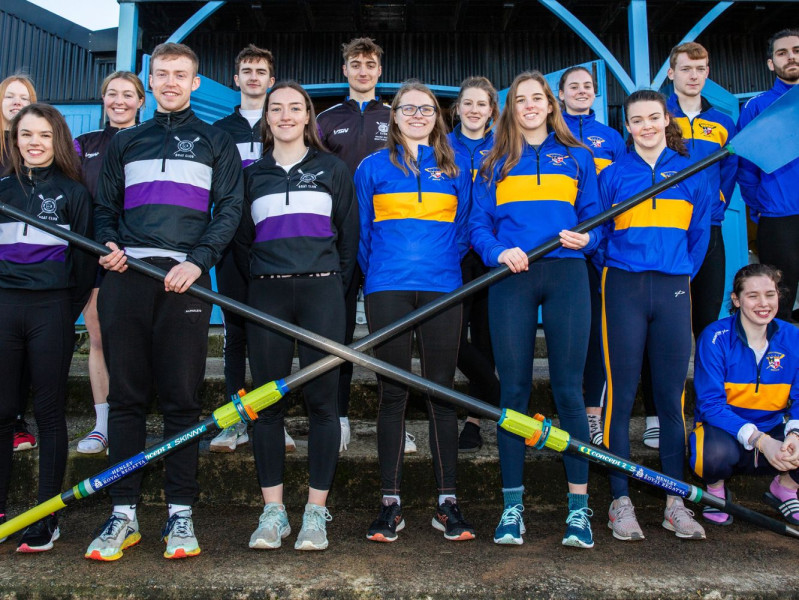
{"type": "Point", "coordinates": [746, 374]}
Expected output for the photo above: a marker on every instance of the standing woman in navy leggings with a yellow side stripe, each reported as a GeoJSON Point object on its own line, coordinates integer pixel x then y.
{"type": "Point", "coordinates": [650, 253]}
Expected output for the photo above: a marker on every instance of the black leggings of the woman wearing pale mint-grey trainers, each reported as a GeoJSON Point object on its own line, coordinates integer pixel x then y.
{"type": "Point", "coordinates": [316, 304]}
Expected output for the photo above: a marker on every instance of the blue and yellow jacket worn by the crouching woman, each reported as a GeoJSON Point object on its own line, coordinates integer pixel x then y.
{"type": "Point", "coordinates": [733, 390]}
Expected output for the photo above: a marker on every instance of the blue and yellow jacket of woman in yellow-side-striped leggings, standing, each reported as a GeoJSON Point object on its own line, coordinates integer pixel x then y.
{"type": "Point", "coordinates": [668, 233]}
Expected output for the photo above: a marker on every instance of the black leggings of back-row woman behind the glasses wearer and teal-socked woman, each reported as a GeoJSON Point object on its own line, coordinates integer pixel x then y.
{"type": "Point", "coordinates": [475, 358]}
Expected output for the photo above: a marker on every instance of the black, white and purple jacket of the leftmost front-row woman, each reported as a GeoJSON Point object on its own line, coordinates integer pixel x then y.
{"type": "Point", "coordinates": [31, 259]}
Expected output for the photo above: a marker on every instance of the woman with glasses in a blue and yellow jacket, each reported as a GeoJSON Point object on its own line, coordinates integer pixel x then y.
{"type": "Point", "coordinates": [413, 199]}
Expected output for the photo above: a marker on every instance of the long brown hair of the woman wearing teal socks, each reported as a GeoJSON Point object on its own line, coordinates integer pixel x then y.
{"type": "Point", "coordinates": [508, 139]}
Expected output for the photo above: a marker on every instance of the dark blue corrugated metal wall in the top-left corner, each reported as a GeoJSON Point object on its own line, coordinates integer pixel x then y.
{"type": "Point", "coordinates": [63, 72]}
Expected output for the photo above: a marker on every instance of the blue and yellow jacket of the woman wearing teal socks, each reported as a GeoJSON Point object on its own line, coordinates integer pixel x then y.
{"type": "Point", "coordinates": [550, 189]}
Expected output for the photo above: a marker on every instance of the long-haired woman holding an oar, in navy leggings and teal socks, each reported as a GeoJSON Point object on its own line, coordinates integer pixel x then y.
{"type": "Point", "coordinates": [536, 183]}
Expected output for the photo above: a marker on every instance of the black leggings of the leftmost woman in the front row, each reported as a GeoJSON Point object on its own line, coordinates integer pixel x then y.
{"type": "Point", "coordinates": [36, 328]}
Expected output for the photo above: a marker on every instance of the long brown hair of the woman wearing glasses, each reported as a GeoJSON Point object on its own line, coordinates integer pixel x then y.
{"type": "Point", "coordinates": [445, 155]}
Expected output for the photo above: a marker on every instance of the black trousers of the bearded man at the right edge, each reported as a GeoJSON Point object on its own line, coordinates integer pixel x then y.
{"type": "Point", "coordinates": [778, 245]}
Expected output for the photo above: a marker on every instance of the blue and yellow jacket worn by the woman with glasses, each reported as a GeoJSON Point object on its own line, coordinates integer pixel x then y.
{"type": "Point", "coordinates": [413, 226]}
